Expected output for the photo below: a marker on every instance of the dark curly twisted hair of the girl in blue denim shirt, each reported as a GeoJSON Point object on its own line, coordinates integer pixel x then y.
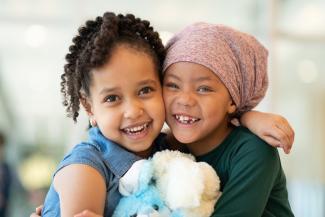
{"type": "Point", "coordinates": [93, 46]}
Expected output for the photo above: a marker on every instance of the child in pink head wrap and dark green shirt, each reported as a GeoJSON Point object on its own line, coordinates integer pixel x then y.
{"type": "Point", "coordinates": [213, 73]}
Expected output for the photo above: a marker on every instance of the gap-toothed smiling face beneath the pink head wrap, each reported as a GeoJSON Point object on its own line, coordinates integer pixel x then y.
{"type": "Point", "coordinates": [197, 106]}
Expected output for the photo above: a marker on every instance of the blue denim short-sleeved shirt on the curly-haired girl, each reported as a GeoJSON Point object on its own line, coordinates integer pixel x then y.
{"type": "Point", "coordinates": [108, 158]}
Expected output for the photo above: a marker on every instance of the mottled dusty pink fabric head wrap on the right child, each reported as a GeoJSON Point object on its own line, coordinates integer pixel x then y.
{"type": "Point", "coordinates": [237, 58]}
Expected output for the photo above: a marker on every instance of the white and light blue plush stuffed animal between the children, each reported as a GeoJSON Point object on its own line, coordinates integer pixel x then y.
{"type": "Point", "coordinates": [170, 184]}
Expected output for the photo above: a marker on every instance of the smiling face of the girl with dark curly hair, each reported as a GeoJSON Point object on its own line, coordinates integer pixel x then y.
{"type": "Point", "coordinates": [126, 99]}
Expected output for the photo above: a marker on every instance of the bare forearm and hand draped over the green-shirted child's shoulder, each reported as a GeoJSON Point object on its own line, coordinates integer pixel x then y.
{"type": "Point", "coordinates": [272, 128]}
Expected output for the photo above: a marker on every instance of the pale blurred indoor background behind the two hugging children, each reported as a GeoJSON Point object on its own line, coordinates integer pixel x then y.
{"type": "Point", "coordinates": [35, 36]}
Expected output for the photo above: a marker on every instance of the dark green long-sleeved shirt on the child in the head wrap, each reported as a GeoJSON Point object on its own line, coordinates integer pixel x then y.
{"type": "Point", "coordinates": [252, 179]}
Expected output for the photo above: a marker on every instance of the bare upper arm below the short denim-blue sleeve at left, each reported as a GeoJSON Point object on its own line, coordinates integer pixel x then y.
{"type": "Point", "coordinates": [80, 187]}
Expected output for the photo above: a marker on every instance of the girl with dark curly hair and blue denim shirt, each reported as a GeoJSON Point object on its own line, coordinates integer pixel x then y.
{"type": "Point", "coordinates": [114, 70]}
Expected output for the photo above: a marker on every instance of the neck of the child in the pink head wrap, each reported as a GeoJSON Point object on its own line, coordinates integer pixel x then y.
{"type": "Point", "coordinates": [211, 141]}
